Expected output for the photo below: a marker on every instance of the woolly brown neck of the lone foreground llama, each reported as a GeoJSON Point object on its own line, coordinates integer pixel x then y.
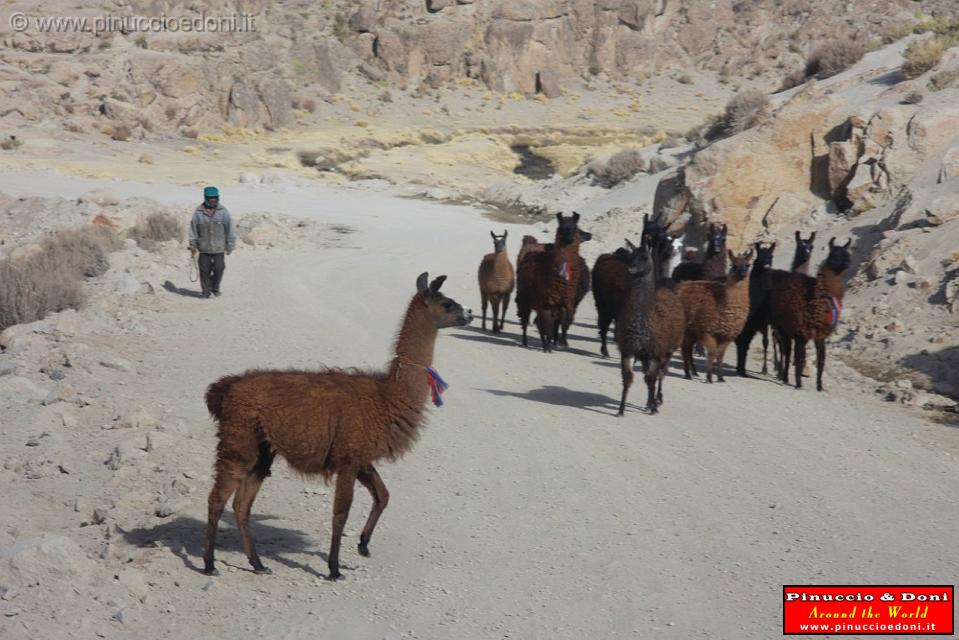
{"type": "Point", "coordinates": [414, 348]}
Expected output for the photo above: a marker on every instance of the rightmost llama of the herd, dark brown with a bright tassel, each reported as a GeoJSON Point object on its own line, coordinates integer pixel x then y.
{"type": "Point", "coordinates": [803, 308]}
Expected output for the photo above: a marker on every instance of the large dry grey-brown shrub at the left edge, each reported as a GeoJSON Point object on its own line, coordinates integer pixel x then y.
{"type": "Point", "coordinates": [49, 281]}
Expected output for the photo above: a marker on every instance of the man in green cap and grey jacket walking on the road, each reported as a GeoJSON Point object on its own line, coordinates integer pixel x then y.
{"type": "Point", "coordinates": [211, 235]}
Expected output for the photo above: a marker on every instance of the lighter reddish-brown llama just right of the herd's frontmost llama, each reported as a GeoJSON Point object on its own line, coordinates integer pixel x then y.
{"type": "Point", "coordinates": [716, 313]}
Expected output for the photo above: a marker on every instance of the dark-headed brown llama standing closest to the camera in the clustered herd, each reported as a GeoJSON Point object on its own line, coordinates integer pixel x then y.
{"type": "Point", "coordinates": [649, 326]}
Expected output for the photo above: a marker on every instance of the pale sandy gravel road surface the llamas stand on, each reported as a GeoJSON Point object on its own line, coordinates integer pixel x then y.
{"type": "Point", "coordinates": [527, 510]}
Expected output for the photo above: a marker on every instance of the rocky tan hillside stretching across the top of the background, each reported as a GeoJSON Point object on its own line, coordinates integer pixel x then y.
{"type": "Point", "coordinates": [302, 54]}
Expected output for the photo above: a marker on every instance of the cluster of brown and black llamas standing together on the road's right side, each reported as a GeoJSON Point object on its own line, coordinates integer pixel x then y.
{"type": "Point", "coordinates": [660, 306]}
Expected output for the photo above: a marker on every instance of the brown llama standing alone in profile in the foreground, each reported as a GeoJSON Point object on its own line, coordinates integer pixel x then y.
{"type": "Point", "coordinates": [331, 423]}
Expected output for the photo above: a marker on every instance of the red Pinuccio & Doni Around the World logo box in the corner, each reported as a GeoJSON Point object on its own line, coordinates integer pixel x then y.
{"type": "Point", "coordinates": [874, 610]}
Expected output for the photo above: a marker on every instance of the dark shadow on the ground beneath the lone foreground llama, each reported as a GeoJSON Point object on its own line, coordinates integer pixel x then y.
{"type": "Point", "coordinates": [184, 537]}
